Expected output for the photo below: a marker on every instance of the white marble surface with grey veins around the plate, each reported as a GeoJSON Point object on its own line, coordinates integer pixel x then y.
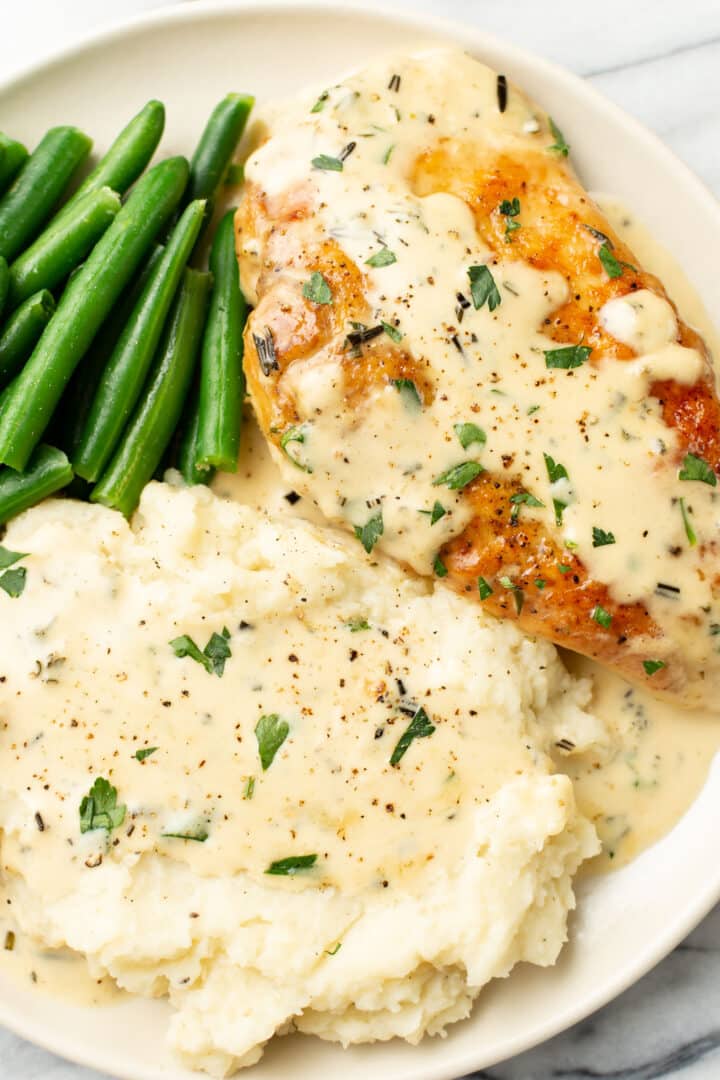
{"type": "Point", "coordinates": [660, 60]}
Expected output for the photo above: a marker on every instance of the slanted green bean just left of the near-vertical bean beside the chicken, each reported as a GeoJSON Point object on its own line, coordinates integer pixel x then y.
{"type": "Point", "coordinates": [158, 414]}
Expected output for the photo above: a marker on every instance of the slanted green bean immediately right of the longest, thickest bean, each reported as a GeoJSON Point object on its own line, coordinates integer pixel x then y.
{"type": "Point", "coordinates": [123, 381]}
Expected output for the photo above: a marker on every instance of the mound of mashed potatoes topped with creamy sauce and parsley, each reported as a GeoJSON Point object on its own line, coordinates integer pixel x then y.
{"type": "Point", "coordinates": [330, 804]}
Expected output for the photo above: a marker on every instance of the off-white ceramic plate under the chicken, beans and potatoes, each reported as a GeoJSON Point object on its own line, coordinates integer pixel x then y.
{"type": "Point", "coordinates": [191, 57]}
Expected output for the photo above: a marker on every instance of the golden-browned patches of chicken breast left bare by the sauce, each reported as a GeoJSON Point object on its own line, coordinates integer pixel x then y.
{"type": "Point", "coordinates": [554, 592]}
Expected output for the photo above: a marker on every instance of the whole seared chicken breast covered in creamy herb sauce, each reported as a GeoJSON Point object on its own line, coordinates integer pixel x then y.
{"type": "Point", "coordinates": [455, 357]}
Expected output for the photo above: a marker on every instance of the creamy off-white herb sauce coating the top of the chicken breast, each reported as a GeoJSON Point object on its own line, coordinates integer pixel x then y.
{"type": "Point", "coordinates": [599, 421]}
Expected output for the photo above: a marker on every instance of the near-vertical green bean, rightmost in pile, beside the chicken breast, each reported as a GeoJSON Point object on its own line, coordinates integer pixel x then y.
{"type": "Point", "coordinates": [222, 383]}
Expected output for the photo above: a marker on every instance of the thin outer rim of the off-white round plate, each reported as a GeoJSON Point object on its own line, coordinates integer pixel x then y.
{"type": "Point", "coordinates": [473, 38]}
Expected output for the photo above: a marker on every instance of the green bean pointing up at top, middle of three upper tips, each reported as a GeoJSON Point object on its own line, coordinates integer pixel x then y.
{"type": "Point", "coordinates": [129, 155]}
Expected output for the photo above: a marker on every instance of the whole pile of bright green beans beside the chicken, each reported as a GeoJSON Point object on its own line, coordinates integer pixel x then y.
{"type": "Point", "coordinates": [119, 355]}
